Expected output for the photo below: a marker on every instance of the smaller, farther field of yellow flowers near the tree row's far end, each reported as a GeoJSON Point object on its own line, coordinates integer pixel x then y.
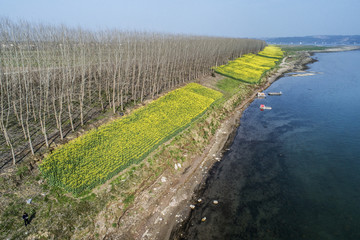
{"type": "Point", "coordinates": [250, 68]}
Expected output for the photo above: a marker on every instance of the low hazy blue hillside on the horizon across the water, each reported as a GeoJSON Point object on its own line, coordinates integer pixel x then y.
{"type": "Point", "coordinates": [317, 40]}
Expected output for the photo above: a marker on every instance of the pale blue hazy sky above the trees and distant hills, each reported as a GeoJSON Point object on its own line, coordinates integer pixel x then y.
{"type": "Point", "coordinates": [231, 18]}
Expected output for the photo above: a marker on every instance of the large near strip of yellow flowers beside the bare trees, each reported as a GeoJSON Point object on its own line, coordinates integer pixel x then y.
{"type": "Point", "coordinates": [90, 160]}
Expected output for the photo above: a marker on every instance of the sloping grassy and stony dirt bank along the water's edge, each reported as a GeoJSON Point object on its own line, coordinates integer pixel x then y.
{"type": "Point", "coordinates": [161, 200]}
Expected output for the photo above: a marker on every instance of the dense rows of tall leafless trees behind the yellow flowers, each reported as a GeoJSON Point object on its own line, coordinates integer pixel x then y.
{"type": "Point", "coordinates": [51, 76]}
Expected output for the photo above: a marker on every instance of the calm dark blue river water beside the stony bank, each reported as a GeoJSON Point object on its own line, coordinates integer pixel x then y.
{"type": "Point", "coordinates": [292, 172]}
